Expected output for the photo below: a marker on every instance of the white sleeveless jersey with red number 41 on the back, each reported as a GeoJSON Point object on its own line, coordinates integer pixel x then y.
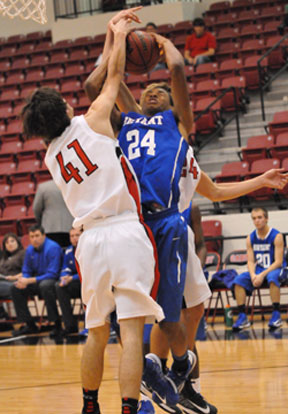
{"type": "Point", "coordinates": [91, 172]}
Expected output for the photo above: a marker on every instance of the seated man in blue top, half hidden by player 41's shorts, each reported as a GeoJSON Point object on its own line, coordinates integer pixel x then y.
{"type": "Point", "coordinates": [69, 285]}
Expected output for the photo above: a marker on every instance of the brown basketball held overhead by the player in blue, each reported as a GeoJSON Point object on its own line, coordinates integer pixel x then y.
{"type": "Point", "coordinates": [142, 52]}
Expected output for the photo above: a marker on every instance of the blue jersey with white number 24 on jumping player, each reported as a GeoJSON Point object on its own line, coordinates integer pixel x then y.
{"type": "Point", "coordinates": [157, 151]}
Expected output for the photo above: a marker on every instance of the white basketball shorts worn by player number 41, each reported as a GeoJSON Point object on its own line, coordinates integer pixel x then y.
{"type": "Point", "coordinates": [117, 264]}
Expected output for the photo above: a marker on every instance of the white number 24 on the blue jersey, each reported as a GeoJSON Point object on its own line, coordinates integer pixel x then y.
{"type": "Point", "coordinates": [147, 141]}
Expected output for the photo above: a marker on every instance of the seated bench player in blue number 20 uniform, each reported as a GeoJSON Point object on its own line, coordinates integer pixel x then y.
{"type": "Point", "coordinates": [265, 251]}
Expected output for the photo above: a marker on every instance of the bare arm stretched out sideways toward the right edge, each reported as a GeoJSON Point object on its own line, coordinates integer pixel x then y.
{"type": "Point", "coordinates": [274, 178]}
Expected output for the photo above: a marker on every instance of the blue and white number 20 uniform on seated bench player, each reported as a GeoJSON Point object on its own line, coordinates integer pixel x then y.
{"type": "Point", "coordinates": [264, 256]}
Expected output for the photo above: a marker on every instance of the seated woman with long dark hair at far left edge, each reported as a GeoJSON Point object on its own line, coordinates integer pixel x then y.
{"type": "Point", "coordinates": [10, 265]}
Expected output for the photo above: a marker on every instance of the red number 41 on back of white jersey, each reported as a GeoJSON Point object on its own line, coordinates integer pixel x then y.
{"type": "Point", "coordinates": [68, 171]}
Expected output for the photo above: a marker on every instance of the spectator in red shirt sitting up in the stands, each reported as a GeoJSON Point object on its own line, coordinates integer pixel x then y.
{"type": "Point", "coordinates": [200, 46]}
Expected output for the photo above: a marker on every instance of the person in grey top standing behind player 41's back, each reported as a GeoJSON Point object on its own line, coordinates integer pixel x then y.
{"type": "Point", "coordinates": [51, 213]}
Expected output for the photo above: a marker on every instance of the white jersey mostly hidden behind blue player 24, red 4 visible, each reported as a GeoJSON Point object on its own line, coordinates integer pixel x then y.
{"type": "Point", "coordinates": [189, 180]}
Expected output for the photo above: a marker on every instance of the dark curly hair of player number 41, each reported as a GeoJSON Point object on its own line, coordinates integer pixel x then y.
{"type": "Point", "coordinates": [44, 115]}
